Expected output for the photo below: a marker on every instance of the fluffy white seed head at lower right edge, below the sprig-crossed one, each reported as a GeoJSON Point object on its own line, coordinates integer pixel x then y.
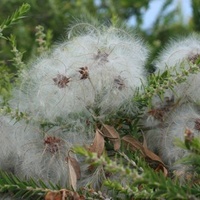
{"type": "Point", "coordinates": [180, 124]}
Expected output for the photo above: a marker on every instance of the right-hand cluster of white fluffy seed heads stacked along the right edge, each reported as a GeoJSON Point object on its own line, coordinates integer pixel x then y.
{"type": "Point", "coordinates": [176, 114]}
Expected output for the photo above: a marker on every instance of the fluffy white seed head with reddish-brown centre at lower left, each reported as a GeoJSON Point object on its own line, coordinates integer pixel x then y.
{"type": "Point", "coordinates": [43, 156]}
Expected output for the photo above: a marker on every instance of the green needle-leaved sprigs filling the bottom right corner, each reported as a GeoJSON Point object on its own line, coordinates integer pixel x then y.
{"type": "Point", "coordinates": [145, 185]}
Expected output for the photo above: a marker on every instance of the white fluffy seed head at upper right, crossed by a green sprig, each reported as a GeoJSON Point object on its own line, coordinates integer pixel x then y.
{"type": "Point", "coordinates": [179, 55]}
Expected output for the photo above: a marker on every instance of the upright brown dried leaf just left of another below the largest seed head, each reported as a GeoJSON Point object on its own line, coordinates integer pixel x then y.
{"type": "Point", "coordinates": [98, 143]}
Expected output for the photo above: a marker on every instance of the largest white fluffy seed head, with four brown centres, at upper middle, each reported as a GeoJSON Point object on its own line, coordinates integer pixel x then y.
{"type": "Point", "coordinates": [99, 69]}
